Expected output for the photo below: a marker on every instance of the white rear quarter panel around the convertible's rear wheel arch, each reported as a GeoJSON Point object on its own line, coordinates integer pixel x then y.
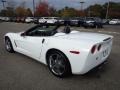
{"type": "Point", "coordinates": [66, 45]}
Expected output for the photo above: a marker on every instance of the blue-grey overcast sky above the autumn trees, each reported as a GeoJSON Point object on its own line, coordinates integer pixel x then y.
{"type": "Point", "coordinates": [62, 3]}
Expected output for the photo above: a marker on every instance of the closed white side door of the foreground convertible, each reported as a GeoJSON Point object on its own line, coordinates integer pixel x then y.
{"type": "Point", "coordinates": [30, 45]}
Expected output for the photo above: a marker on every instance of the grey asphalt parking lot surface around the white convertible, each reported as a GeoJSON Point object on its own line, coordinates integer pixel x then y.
{"type": "Point", "coordinates": [18, 72]}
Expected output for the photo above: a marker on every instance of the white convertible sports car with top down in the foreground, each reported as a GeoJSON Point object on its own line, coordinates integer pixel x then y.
{"type": "Point", "coordinates": [64, 51]}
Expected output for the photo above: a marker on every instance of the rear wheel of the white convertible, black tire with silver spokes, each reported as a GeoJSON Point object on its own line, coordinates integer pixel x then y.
{"type": "Point", "coordinates": [58, 64]}
